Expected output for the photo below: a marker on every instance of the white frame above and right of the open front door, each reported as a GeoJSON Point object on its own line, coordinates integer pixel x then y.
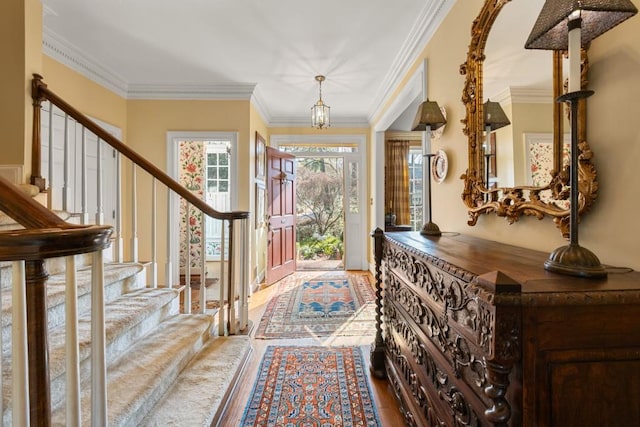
{"type": "Point", "coordinates": [360, 141]}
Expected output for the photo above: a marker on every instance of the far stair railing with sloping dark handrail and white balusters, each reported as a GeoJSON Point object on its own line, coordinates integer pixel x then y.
{"type": "Point", "coordinates": [234, 263]}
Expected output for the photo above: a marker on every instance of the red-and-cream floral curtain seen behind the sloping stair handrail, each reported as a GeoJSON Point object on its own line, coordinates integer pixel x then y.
{"type": "Point", "coordinates": [191, 169]}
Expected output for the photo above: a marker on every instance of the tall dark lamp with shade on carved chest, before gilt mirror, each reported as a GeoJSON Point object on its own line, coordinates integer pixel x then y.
{"type": "Point", "coordinates": [571, 24]}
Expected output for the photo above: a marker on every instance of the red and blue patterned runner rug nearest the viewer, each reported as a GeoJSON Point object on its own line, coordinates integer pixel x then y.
{"type": "Point", "coordinates": [311, 386]}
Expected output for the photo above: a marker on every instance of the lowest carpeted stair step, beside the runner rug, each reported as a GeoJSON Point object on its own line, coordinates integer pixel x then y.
{"type": "Point", "coordinates": [199, 394]}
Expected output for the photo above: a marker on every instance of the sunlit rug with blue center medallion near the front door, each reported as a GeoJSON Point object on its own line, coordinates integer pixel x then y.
{"type": "Point", "coordinates": [326, 304]}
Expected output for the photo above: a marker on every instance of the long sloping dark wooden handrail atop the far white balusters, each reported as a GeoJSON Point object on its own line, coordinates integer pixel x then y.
{"type": "Point", "coordinates": [40, 92]}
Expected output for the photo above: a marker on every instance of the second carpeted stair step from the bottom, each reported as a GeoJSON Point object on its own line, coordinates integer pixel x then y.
{"type": "Point", "coordinates": [139, 378]}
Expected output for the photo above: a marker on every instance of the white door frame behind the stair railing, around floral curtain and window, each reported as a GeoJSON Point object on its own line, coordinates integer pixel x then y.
{"type": "Point", "coordinates": [173, 205]}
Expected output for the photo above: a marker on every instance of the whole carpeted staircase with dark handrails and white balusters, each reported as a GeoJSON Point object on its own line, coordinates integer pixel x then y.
{"type": "Point", "coordinates": [88, 341]}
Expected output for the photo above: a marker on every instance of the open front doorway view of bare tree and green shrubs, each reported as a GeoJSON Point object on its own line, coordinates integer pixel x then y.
{"type": "Point", "coordinates": [320, 213]}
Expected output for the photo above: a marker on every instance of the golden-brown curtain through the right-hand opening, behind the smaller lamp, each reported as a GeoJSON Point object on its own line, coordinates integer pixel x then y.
{"type": "Point", "coordinates": [397, 180]}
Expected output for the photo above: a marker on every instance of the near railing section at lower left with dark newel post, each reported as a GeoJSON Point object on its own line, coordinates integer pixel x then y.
{"type": "Point", "coordinates": [45, 236]}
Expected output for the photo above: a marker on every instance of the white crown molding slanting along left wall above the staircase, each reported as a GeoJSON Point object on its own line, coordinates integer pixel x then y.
{"type": "Point", "coordinates": [66, 53]}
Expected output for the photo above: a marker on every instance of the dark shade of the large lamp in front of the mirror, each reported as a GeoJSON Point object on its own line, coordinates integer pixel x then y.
{"type": "Point", "coordinates": [551, 30]}
